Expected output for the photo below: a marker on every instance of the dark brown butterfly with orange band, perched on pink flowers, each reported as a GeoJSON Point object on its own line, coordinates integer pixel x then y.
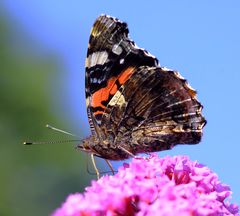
{"type": "Point", "coordinates": [133, 104]}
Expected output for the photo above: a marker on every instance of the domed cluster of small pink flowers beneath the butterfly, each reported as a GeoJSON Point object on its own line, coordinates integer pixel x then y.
{"type": "Point", "coordinates": [153, 186]}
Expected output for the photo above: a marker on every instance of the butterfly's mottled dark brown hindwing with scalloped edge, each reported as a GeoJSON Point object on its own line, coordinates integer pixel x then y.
{"type": "Point", "coordinates": [156, 110]}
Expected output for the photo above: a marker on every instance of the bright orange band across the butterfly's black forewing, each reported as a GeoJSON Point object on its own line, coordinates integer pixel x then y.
{"type": "Point", "coordinates": [111, 88]}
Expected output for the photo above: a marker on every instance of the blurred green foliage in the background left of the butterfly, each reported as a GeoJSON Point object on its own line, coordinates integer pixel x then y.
{"type": "Point", "coordinates": [34, 180]}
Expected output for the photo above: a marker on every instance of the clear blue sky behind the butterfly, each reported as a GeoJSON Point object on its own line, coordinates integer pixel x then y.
{"type": "Point", "coordinates": [201, 40]}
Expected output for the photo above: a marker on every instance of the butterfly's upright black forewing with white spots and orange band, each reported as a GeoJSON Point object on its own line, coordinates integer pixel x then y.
{"type": "Point", "coordinates": [111, 59]}
